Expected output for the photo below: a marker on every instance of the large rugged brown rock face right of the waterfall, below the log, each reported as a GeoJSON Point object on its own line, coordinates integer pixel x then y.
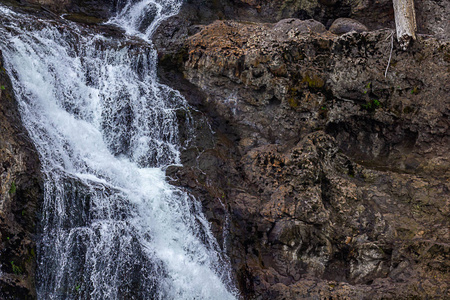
{"type": "Point", "coordinates": [329, 174]}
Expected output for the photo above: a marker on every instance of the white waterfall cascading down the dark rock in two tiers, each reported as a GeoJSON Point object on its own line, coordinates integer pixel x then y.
{"type": "Point", "coordinates": [111, 226]}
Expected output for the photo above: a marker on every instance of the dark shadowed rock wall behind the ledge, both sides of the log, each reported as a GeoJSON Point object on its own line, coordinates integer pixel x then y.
{"type": "Point", "coordinates": [431, 16]}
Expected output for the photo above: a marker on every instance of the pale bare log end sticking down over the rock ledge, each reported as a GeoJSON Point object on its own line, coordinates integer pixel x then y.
{"type": "Point", "coordinates": [405, 21]}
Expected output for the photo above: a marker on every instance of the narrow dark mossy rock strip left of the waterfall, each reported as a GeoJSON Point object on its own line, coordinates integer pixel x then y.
{"type": "Point", "coordinates": [21, 194]}
